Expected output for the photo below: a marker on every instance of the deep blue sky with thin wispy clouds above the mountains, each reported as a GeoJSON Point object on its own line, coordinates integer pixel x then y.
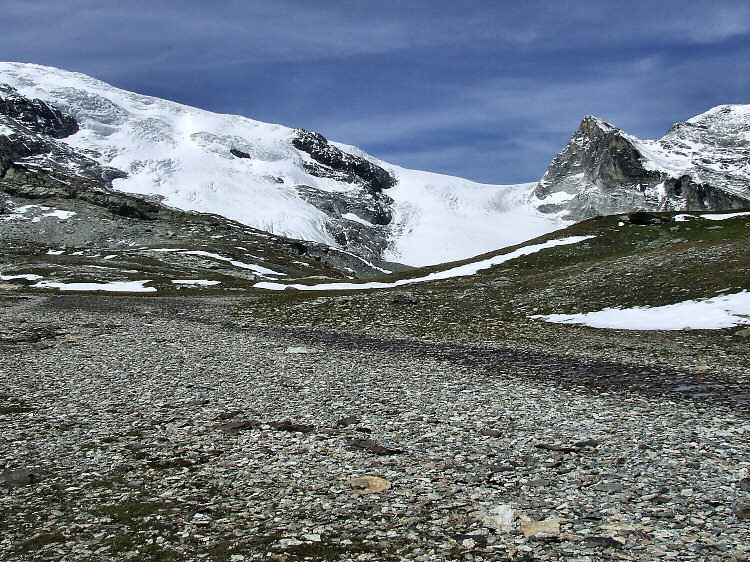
{"type": "Point", "coordinates": [485, 90]}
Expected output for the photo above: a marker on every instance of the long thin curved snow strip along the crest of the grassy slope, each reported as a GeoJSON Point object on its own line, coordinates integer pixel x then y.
{"type": "Point", "coordinates": [459, 271]}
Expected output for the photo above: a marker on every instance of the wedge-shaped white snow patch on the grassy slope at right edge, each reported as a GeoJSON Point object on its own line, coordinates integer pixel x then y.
{"type": "Point", "coordinates": [710, 314]}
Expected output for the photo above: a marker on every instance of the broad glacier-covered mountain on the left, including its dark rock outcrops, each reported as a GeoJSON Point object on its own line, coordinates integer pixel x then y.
{"type": "Point", "coordinates": [285, 181]}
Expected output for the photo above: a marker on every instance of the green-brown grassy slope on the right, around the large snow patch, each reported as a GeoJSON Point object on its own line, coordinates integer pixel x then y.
{"type": "Point", "coordinates": [625, 265]}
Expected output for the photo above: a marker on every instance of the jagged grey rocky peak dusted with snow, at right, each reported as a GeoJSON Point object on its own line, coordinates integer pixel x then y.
{"type": "Point", "coordinates": [702, 163]}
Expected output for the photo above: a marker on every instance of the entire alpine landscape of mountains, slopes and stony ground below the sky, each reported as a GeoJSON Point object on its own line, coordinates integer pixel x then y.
{"type": "Point", "coordinates": [222, 339]}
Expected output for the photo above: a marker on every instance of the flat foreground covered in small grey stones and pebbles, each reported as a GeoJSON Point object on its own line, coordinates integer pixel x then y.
{"type": "Point", "coordinates": [156, 428]}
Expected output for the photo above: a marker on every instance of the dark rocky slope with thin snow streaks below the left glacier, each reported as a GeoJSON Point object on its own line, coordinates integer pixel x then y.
{"type": "Point", "coordinates": [61, 230]}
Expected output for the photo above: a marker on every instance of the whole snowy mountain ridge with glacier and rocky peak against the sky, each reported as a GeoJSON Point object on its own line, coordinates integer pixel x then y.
{"type": "Point", "coordinates": [298, 184]}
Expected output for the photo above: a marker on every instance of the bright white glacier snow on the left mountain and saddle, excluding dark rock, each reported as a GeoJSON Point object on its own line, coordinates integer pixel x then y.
{"type": "Point", "coordinates": [183, 154]}
